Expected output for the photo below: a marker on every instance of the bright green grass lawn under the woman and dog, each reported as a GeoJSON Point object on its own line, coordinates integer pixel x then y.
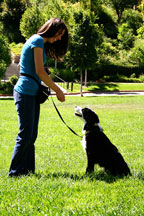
{"type": "Point", "coordinates": [60, 187]}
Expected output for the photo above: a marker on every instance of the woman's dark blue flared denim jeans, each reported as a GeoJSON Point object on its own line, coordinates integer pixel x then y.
{"type": "Point", "coordinates": [23, 158]}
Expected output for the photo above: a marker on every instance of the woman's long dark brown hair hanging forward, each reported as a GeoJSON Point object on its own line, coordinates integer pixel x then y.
{"type": "Point", "coordinates": [59, 48]}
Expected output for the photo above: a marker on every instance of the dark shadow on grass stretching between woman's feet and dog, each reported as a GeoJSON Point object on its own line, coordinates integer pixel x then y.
{"type": "Point", "coordinates": [100, 176]}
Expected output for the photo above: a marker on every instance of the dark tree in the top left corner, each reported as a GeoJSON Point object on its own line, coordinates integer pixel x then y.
{"type": "Point", "coordinates": [11, 14]}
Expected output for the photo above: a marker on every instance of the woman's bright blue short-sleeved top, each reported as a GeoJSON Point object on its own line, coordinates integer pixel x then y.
{"type": "Point", "coordinates": [26, 85]}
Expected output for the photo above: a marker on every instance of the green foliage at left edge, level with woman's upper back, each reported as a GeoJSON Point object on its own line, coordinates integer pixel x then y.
{"type": "Point", "coordinates": [5, 55]}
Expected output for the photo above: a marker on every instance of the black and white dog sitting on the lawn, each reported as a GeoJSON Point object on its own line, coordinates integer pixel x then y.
{"type": "Point", "coordinates": [98, 147]}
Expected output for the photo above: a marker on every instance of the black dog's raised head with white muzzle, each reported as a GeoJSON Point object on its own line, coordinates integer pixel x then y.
{"type": "Point", "coordinates": [89, 117]}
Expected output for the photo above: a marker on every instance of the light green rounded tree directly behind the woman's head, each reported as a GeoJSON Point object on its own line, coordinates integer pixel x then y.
{"type": "Point", "coordinates": [39, 12]}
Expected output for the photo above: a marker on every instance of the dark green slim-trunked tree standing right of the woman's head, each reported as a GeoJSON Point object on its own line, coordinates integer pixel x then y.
{"type": "Point", "coordinates": [85, 38]}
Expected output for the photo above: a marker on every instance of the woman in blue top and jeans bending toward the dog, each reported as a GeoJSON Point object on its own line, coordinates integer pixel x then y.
{"type": "Point", "coordinates": [51, 41]}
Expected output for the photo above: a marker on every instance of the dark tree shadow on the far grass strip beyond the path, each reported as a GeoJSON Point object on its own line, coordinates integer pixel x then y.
{"type": "Point", "coordinates": [104, 87]}
